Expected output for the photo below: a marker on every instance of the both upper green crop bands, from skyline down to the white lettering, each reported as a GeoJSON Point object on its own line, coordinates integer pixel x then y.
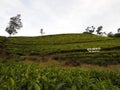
{"type": "Point", "coordinates": [60, 43]}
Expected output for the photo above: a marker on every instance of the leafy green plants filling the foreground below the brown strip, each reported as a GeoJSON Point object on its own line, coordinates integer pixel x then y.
{"type": "Point", "coordinates": [17, 76]}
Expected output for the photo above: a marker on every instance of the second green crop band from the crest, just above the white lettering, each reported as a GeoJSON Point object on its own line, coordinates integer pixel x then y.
{"type": "Point", "coordinates": [47, 49]}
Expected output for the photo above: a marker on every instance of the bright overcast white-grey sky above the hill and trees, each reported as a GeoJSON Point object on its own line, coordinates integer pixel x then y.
{"type": "Point", "coordinates": [60, 16]}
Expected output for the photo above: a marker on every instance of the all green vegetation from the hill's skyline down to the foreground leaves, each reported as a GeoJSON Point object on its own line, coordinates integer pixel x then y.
{"type": "Point", "coordinates": [70, 50]}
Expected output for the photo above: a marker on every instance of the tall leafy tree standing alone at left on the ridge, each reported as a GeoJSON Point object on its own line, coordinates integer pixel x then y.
{"type": "Point", "coordinates": [14, 24]}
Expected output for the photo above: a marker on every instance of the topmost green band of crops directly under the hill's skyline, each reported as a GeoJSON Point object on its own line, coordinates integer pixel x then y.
{"type": "Point", "coordinates": [58, 39]}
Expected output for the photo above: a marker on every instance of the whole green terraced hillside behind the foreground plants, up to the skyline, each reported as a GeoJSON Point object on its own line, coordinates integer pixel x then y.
{"type": "Point", "coordinates": [71, 48]}
